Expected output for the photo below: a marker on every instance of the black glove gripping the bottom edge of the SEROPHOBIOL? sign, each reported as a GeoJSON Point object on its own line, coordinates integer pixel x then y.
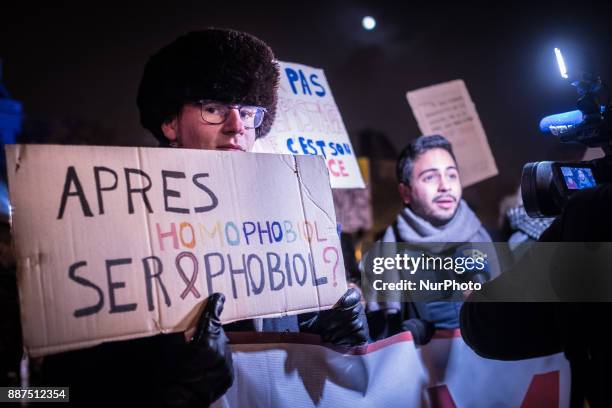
{"type": "Point", "coordinates": [205, 370]}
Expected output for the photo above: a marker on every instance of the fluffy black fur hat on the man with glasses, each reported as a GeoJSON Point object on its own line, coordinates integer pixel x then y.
{"type": "Point", "coordinates": [219, 64]}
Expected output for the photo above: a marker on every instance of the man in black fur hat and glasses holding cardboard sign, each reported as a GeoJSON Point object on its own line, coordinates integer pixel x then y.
{"type": "Point", "coordinates": [215, 90]}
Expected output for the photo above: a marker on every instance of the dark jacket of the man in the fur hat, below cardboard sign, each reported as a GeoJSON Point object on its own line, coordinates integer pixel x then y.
{"type": "Point", "coordinates": [141, 371]}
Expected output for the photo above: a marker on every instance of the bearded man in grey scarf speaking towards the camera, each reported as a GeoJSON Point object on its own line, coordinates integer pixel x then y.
{"type": "Point", "coordinates": [438, 222]}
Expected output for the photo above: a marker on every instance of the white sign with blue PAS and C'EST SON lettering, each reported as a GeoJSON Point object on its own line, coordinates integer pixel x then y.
{"type": "Point", "coordinates": [308, 122]}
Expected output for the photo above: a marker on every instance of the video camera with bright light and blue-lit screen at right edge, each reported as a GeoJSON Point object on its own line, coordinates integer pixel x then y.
{"type": "Point", "coordinates": [546, 186]}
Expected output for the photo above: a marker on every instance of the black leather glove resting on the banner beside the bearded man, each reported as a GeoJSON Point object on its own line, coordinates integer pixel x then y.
{"type": "Point", "coordinates": [343, 325]}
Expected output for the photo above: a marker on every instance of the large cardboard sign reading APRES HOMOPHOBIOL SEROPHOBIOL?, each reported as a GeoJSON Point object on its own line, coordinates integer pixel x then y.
{"type": "Point", "coordinates": [118, 243]}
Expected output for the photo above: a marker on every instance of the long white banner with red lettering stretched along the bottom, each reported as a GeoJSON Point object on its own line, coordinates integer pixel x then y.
{"type": "Point", "coordinates": [295, 370]}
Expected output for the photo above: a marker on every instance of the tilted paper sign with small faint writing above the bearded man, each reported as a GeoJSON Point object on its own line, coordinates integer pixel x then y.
{"type": "Point", "coordinates": [447, 109]}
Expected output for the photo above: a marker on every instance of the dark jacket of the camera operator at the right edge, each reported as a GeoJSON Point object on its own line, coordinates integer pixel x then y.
{"type": "Point", "coordinates": [512, 331]}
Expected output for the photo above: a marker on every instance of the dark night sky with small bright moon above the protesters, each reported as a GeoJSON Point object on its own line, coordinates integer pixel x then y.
{"type": "Point", "coordinates": [82, 62]}
